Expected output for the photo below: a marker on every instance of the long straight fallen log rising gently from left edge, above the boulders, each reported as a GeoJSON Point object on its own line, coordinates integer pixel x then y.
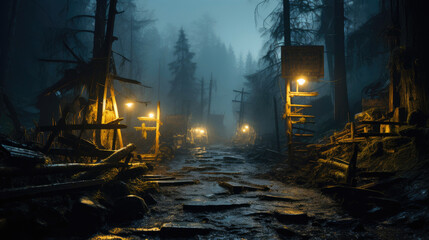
{"type": "Point", "coordinates": [43, 190]}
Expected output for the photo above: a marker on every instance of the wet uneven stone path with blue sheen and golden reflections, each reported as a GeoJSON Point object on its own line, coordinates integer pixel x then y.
{"type": "Point", "coordinates": [217, 196]}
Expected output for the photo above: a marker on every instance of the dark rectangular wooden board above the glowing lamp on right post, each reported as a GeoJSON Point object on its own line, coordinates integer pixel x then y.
{"type": "Point", "coordinates": [302, 61]}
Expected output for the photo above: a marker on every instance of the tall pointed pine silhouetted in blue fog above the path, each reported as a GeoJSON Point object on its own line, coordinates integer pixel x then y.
{"type": "Point", "coordinates": [183, 88]}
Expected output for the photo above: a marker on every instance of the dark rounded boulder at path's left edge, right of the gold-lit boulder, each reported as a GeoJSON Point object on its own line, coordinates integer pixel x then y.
{"type": "Point", "coordinates": [129, 208]}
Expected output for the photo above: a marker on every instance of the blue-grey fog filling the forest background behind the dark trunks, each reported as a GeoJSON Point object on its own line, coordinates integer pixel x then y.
{"type": "Point", "coordinates": [234, 43]}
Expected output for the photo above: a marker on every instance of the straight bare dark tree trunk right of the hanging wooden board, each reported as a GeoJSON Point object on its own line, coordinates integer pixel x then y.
{"type": "Point", "coordinates": [341, 95]}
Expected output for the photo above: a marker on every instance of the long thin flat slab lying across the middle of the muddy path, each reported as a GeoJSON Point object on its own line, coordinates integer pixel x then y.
{"type": "Point", "coordinates": [209, 206]}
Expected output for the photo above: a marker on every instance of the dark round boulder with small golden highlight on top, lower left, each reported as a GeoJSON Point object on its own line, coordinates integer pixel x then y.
{"type": "Point", "coordinates": [87, 216]}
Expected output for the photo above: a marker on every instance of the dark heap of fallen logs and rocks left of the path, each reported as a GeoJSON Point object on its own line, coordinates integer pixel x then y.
{"type": "Point", "coordinates": [52, 197]}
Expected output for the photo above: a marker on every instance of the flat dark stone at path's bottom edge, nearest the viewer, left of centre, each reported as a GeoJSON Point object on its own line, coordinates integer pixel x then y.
{"type": "Point", "coordinates": [185, 229]}
